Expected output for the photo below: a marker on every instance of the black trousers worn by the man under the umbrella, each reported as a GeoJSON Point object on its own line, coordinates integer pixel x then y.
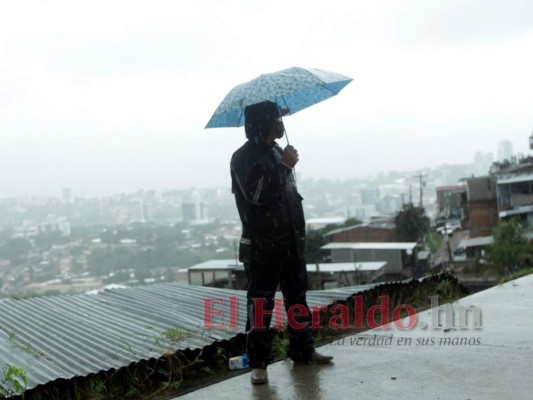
{"type": "Point", "coordinates": [272, 265]}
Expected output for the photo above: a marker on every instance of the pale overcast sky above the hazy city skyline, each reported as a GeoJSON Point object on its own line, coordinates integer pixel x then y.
{"type": "Point", "coordinates": [111, 96]}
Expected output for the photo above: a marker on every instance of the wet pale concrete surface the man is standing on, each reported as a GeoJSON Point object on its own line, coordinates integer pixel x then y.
{"type": "Point", "coordinates": [494, 361]}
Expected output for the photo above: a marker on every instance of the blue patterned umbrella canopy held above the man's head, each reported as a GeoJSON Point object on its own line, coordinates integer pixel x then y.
{"type": "Point", "coordinates": [293, 88]}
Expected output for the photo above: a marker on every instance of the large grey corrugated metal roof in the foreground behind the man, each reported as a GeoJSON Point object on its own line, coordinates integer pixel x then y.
{"type": "Point", "coordinates": [76, 335]}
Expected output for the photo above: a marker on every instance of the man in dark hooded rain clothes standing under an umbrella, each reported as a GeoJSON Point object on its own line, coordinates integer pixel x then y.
{"type": "Point", "coordinates": [272, 243]}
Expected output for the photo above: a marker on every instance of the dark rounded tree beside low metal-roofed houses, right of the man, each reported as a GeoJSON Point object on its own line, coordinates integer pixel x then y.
{"type": "Point", "coordinates": [412, 224]}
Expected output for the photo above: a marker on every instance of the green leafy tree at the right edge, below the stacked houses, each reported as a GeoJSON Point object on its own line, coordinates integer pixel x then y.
{"type": "Point", "coordinates": [510, 250]}
